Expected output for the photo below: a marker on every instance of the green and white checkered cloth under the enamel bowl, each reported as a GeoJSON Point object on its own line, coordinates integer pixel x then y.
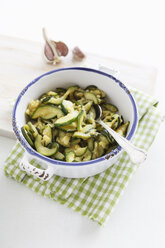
{"type": "Point", "coordinates": [95, 196]}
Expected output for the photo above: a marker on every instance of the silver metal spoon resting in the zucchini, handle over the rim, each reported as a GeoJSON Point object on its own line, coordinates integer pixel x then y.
{"type": "Point", "coordinates": [136, 154]}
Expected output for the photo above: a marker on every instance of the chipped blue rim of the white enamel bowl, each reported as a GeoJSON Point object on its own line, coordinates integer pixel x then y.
{"type": "Point", "coordinates": [33, 152]}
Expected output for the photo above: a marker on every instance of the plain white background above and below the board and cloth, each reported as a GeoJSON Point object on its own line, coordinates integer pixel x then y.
{"type": "Point", "coordinates": [128, 30]}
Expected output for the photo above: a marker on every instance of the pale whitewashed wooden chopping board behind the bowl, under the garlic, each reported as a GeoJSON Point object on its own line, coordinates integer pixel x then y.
{"type": "Point", "coordinates": [21, 61]}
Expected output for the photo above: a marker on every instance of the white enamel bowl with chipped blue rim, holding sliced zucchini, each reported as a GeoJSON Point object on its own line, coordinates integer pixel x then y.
{"type": "Point", "coordinates": [118, 95]}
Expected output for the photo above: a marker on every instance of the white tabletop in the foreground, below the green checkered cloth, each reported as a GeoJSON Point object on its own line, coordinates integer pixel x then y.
{"type": "Point", "coordinates": [29, 220]}
